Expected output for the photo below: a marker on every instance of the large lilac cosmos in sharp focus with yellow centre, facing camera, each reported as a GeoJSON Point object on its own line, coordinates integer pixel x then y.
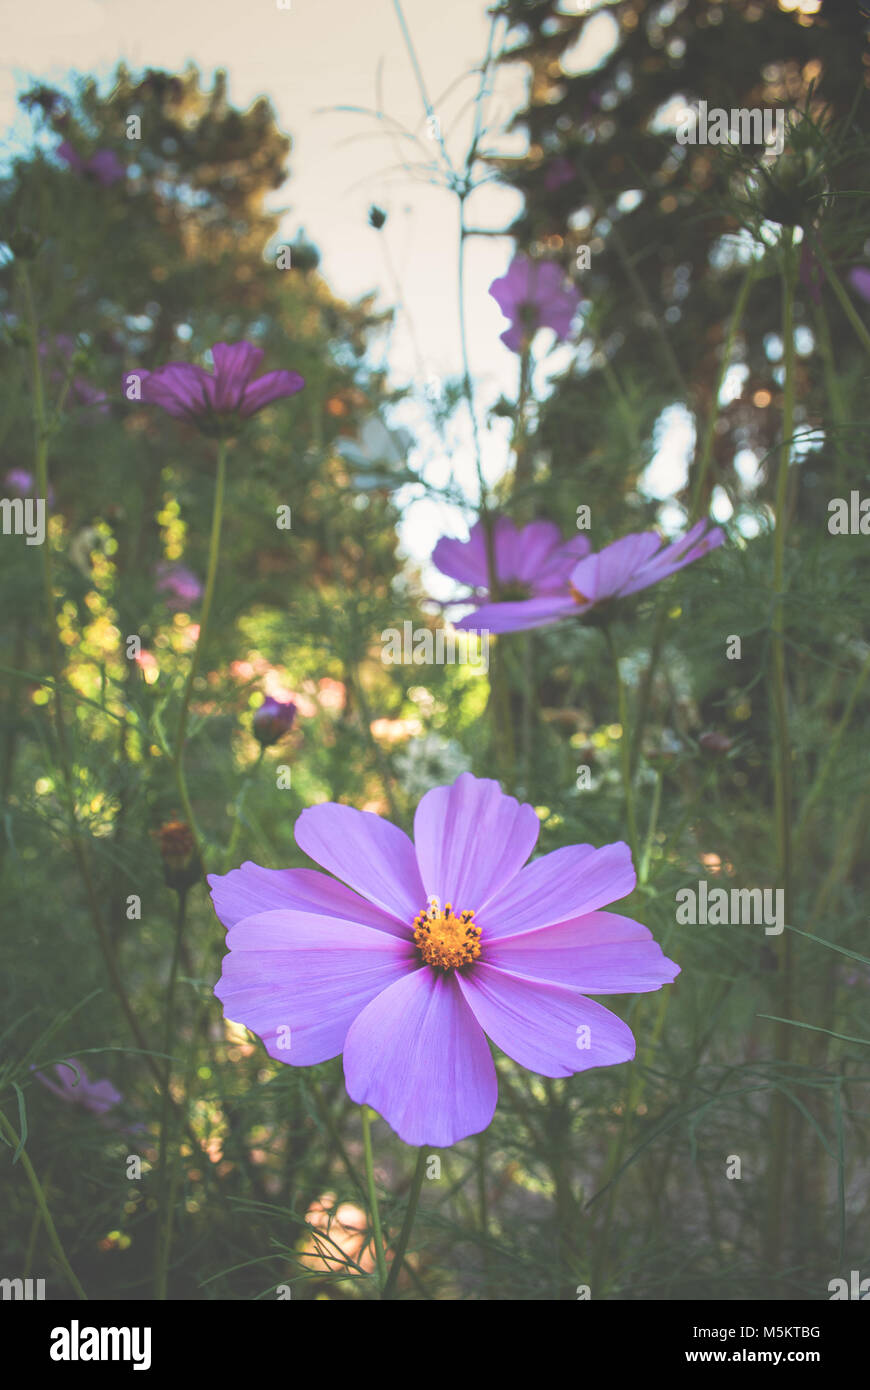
{"type": "Point", "coordinates": [418, 951]}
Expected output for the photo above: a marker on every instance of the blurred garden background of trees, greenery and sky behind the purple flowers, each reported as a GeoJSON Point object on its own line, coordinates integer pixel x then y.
{"type": "Point", "coordinates": [718, 366]}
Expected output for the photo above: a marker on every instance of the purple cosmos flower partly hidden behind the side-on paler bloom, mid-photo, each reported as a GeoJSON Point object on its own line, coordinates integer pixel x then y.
{"type": "Point", "coordinates": [529, 564]}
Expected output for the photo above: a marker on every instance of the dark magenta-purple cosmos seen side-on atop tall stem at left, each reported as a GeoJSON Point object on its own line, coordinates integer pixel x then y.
{"type": "Point", "coordinates": [215, 401]}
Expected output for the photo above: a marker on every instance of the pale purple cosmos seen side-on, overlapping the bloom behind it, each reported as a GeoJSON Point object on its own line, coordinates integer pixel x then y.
{"type": "Point", "coordinates": [621, 569]}
